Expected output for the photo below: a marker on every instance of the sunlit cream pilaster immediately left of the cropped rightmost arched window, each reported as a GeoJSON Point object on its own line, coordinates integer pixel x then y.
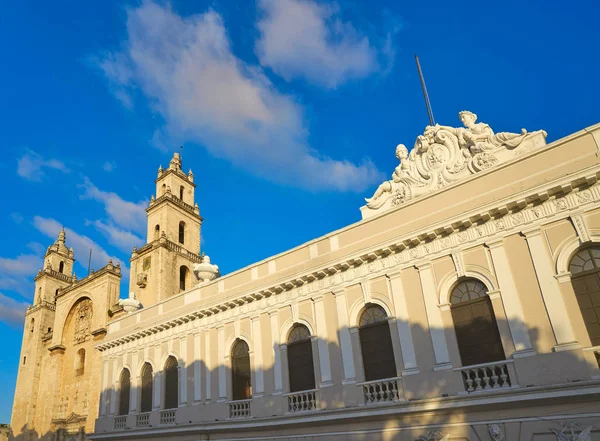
{"type": "Point", "coordinates": [555, 305]}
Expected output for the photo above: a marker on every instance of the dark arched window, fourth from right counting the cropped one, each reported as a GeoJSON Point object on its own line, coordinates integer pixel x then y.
{"type": "Point", "coordinates": [300, 361]}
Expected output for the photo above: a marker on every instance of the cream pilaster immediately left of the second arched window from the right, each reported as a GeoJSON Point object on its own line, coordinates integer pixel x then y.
{"type": "Point", "coordinates": [434, 318]}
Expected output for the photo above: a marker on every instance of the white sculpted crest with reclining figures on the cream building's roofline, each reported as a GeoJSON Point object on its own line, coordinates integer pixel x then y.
{"type": "Point", "coordinates": [443, 155]}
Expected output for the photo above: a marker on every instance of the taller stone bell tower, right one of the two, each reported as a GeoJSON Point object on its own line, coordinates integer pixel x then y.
{"type": "Point", "coordinates": [163, 267]}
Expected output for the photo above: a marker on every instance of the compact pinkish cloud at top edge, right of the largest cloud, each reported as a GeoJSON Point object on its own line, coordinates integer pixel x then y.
{"type": "Point", "coordinates": [305, 39]}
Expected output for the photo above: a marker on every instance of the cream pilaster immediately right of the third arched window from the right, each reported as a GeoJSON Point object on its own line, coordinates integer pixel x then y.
{"type": "Point", "coordinates": [403, 325]}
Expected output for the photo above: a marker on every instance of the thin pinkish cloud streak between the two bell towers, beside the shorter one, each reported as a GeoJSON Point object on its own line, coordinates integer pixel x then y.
{"type": "Point", "coordinates": [81, 244]}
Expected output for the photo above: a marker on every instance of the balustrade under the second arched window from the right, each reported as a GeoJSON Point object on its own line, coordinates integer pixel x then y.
{"type": "Point", "coordinates": [486, 376]}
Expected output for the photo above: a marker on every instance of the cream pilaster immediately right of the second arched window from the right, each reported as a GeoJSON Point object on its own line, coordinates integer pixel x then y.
{"type": "Point", "coordinates": [510, 300]}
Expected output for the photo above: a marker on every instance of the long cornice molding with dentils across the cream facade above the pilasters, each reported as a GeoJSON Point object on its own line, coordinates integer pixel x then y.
{"type": "Point", "coordinates": [487, 225]}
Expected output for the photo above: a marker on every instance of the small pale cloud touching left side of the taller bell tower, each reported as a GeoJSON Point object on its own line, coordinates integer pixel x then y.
{"type": "Point", "coordinates": [129, 215]}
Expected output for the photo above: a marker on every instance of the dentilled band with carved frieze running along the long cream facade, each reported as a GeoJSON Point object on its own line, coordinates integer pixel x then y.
{"type": "Point", "coordinates": [473, 229]}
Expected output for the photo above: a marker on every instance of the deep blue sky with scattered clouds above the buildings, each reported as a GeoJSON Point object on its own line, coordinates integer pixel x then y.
{"type": "Point", "coordinates": [289, 112]}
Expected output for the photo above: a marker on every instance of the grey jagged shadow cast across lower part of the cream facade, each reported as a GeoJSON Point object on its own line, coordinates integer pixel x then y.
{"type": "Point", "coordinates": [437, 394]}
